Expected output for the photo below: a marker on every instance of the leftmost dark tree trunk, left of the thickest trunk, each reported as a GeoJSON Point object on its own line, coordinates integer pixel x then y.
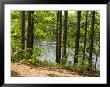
{"type": "Point", "coordinates": [23, 30]}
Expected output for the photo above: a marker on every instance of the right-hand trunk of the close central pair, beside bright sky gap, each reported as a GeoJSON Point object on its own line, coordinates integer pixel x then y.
{"type": "Point", "coordinates": [65, 33]}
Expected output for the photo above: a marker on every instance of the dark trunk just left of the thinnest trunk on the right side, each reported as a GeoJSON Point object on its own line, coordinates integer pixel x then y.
{"type": "Point", "coordinates": [77, 37]}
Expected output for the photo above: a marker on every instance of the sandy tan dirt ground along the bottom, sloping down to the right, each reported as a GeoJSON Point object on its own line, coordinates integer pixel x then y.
{"type": "Point", "coordinates": [23, 70]}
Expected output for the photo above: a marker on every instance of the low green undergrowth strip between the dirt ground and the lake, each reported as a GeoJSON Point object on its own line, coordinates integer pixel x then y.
{"type": "Point", "coordinates": [26, 57]}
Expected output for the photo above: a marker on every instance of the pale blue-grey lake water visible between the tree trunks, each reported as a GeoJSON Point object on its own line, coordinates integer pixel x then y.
{"type": "Point", "coordinates": [49, 54]}
